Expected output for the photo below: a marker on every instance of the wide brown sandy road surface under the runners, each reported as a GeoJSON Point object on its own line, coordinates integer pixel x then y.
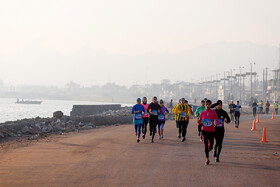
{"type": "Point", "coordinates": [111, 157]}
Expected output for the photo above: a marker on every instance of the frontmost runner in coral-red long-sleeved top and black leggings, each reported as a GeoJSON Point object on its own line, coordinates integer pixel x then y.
{"type": "Point", "coordinates": [206, 119]}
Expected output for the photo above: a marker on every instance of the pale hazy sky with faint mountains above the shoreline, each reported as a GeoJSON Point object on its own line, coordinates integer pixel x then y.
{"type": "Point", "coordinates": [51, 42]}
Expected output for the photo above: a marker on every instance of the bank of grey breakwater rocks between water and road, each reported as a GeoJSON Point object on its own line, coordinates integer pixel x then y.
{"type": "Point", "coordinates": [40, 127]}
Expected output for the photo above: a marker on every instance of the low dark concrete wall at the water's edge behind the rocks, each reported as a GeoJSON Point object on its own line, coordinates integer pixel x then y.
{"type": "Point", "coordinates": [87, 110]}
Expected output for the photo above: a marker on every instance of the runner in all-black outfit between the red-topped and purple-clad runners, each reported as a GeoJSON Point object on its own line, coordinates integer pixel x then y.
{"type": "Point", "coordinates": [154, 110]}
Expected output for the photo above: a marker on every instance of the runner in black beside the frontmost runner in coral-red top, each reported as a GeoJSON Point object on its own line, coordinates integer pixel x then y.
{"type": "Point", "coordinates": [220, 129]}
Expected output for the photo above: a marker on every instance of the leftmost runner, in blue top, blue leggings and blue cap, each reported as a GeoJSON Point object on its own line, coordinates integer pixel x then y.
{"type": "Point", "coordinates": [138, 111]}
